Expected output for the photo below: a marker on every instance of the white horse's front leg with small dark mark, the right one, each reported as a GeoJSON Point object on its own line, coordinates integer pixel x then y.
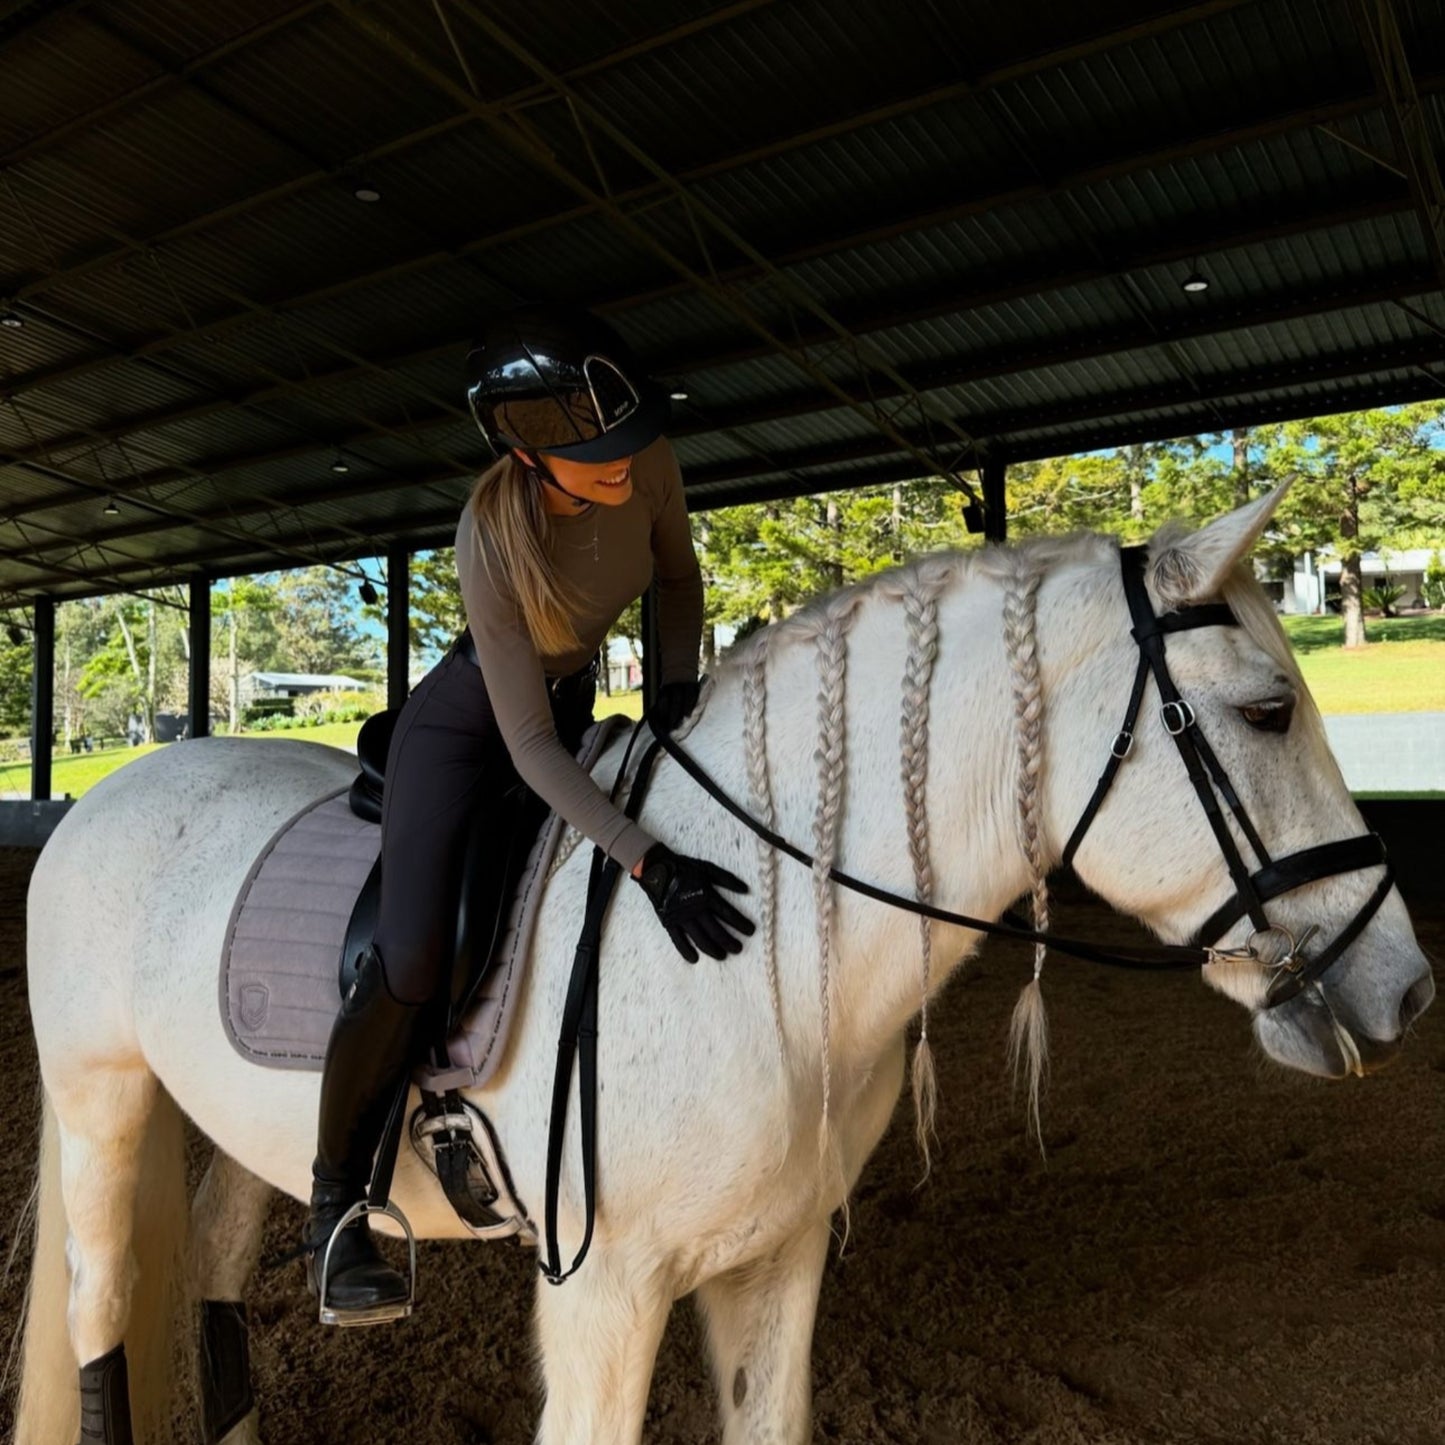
{"type": "Point", "coordinates": [761, 1321]}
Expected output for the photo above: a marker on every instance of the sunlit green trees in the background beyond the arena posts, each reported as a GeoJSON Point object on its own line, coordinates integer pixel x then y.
{"type": "Point", "coordinates": [1363, 482]}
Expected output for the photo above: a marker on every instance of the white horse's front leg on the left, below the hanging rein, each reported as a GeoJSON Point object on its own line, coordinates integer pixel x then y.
{"type": "Point", "coordinates": [599, 1337]}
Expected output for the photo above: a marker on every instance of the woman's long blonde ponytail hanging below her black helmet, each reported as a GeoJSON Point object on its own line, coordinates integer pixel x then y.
{"type": "Point", "coordinates": [512, 530]}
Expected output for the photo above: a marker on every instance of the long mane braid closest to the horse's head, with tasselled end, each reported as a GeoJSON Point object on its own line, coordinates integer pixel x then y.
{"type": "Point", "coordinates": [1028, 1035]}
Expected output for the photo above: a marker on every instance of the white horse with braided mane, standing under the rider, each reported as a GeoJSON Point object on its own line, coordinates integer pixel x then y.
{"type": "Point", "coordinates": [715, 1077]}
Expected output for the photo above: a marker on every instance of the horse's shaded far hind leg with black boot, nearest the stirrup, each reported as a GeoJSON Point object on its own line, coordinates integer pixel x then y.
{"type": "Point", "coordinates": [228, 1220]}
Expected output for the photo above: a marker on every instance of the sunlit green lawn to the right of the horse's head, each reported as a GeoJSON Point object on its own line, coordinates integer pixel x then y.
{"type": "Point", "coordinates": [1401, 671]}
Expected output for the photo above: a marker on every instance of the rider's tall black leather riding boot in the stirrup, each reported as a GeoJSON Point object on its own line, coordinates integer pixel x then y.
{"type": "Point", "coordinates": [366, 1063]}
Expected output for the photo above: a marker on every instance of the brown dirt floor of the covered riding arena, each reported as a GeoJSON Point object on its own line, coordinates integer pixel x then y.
{"type": "Point", "coordinates": [1215, 1254]}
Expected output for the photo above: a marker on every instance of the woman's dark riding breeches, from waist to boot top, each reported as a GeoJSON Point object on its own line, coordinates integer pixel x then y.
{"type": "Point", "coordinates": [447, 759]}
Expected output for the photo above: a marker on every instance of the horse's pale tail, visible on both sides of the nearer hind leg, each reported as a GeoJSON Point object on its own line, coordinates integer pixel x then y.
{"type": "Point", "coordinates": [48, 1411]}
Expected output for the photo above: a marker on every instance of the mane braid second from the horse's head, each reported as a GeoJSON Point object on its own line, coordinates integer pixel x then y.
{"type": "Point", "coordinates": [921, 611]}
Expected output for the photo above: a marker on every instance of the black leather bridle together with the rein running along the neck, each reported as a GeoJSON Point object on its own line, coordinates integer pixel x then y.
{"type": "Point", "coordinates": [1293, 972]}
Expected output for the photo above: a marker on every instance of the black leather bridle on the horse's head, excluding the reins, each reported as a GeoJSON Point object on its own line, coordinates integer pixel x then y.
{"type": "Point", "coordinates": [1293, 969]}
